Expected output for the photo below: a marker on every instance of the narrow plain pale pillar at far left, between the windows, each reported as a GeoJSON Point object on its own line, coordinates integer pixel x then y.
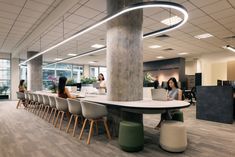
{"type": "Point", "coordinates": [15, 77]}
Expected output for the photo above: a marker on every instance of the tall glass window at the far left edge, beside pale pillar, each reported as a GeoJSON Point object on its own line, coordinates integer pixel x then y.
{"type": "Point", "coordinates": [5, 83]}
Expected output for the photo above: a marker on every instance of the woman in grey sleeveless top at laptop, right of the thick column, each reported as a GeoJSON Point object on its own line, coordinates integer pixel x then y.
{"type": "Point", "coordinates": [173, 93]}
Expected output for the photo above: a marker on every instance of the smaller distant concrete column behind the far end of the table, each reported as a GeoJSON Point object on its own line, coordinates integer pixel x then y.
{"type": "Point", "coordinates": [34, 72]}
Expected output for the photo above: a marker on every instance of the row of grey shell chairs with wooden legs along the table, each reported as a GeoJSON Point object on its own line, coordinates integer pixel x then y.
{"type": "Point", "coordinates": [44, 106]}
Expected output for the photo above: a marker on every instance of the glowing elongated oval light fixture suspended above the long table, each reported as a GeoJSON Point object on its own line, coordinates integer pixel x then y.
{"type": "Point", "coordinates": [129, 8]}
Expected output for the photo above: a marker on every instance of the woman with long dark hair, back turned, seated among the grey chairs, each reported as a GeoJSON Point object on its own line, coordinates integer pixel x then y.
{"type": "Point", "coordinates": [63, 92]}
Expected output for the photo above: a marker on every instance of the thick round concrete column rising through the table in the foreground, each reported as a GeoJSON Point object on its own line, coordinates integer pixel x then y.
{"type": "Point", "coordinates": [124, 53]}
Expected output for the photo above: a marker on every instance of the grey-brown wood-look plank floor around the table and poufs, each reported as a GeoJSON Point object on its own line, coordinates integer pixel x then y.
{"type": "Point", "coordinates": [22, 134]}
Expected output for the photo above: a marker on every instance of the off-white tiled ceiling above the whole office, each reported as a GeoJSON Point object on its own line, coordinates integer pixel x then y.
{"type": "Point", "coordinates": [21, 19]}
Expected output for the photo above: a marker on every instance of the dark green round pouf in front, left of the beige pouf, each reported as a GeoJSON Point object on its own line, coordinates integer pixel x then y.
{"type": "Point", "coordinates": [131, 136]}
